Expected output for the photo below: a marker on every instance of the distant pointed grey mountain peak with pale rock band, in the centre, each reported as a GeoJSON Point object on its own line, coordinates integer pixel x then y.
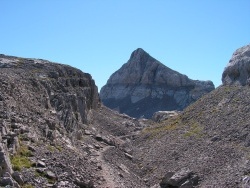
{"type": "Point", "coordinates": [143, 86]}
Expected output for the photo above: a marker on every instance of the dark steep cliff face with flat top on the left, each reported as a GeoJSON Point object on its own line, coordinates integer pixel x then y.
{"type": "Point", "coordinates": [66, 91]}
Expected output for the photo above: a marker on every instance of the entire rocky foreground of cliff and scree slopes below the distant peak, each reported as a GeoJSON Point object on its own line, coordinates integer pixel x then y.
{"type": "Point", "coordinates": [56, 133]}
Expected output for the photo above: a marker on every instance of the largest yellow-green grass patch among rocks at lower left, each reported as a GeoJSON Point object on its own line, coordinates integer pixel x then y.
{"type": "Point", "coordinates": [20, 159]}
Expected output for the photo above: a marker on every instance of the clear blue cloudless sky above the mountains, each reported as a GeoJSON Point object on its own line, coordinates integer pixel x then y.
{"type": "Point", "coordinates": [193, 37]}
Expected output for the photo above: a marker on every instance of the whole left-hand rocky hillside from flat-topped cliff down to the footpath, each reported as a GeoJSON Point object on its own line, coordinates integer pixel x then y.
{"type": "Point", "coordinates": [55, 132]}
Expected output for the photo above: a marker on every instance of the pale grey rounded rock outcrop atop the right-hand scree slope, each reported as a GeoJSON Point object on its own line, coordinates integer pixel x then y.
{"type": "Point", "coordinates": [238, 69]}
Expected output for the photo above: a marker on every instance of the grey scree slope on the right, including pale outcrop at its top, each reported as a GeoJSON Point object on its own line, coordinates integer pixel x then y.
{"type": "Point", "coordinates": [207, 145]}
